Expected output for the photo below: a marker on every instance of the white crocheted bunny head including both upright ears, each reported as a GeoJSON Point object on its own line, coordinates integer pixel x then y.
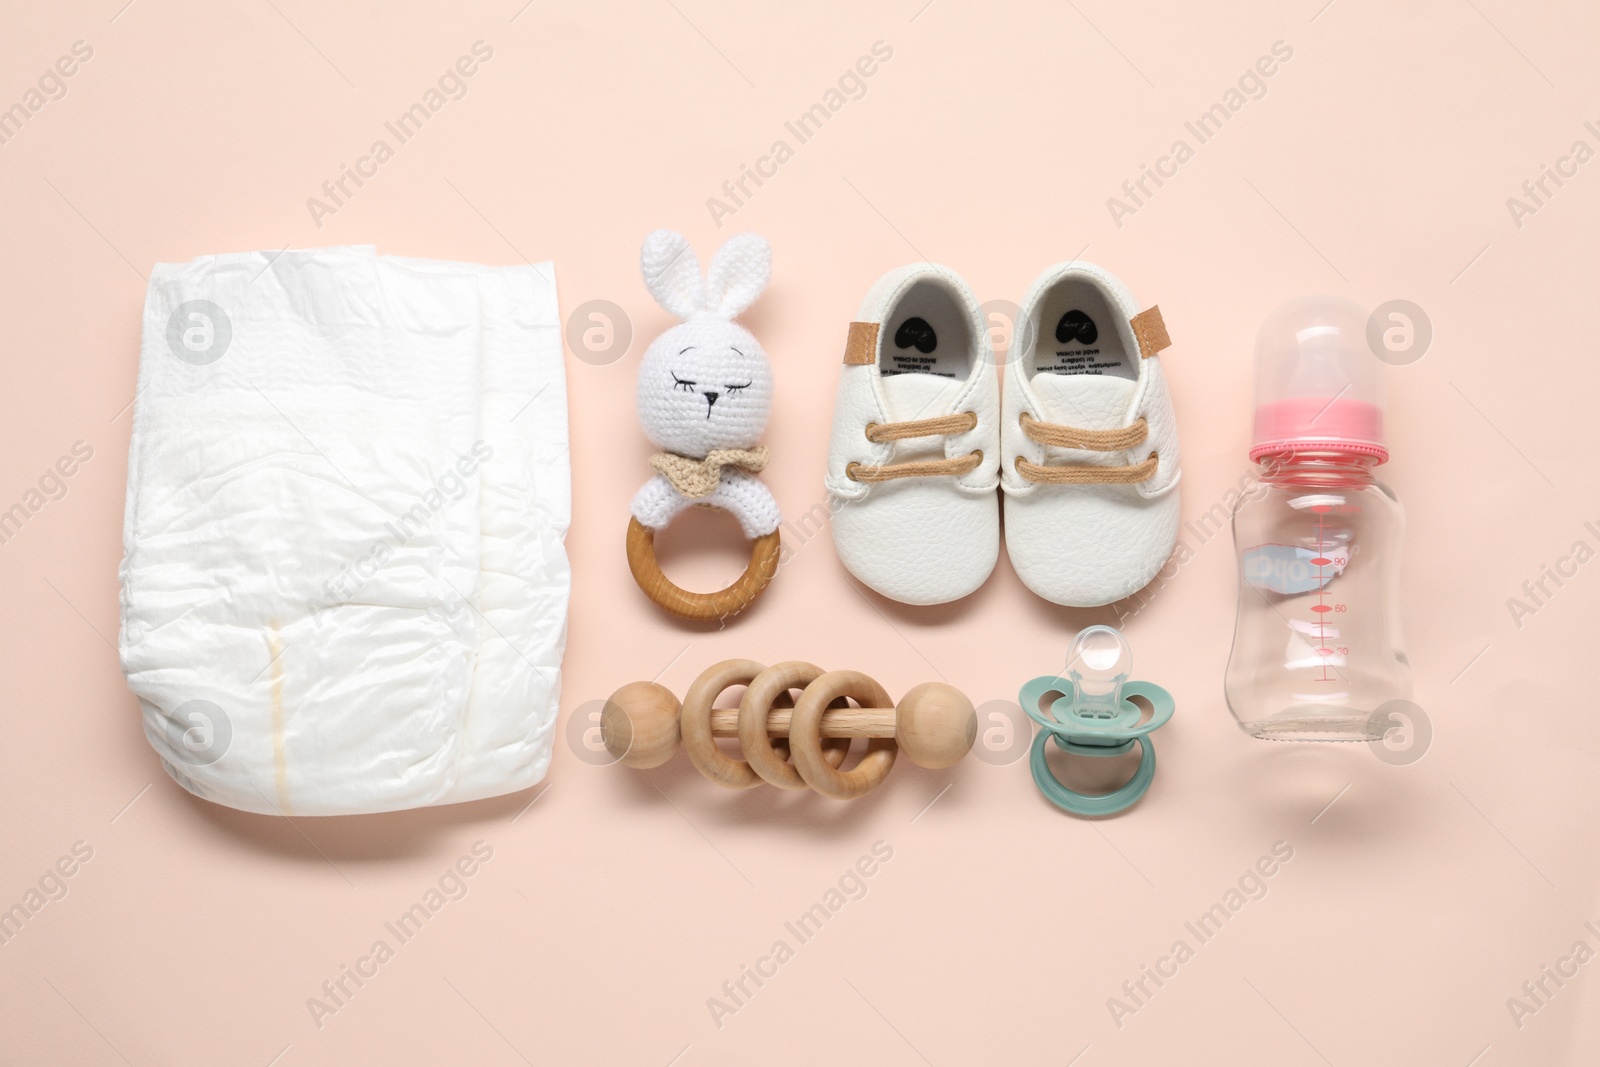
{"type": "Point", "coordinates": [705, 383]}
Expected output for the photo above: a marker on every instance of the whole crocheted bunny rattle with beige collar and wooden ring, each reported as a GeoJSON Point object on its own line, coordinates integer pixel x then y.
{"type": "Point", "coordinates": [705, 393]}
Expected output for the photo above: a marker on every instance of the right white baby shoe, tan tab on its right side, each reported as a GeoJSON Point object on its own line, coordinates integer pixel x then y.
{"type": "Point", "coordinates": [1089, 441]}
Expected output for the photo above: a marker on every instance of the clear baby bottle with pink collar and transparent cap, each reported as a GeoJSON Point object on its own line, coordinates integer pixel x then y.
{"type": "Point", "coordinates": [1318, 637]}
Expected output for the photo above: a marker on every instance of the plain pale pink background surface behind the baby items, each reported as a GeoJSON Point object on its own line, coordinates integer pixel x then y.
{"type": "Point", "coordinates": [1377, 166]}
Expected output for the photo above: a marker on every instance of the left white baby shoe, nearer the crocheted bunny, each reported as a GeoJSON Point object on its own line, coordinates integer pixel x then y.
{"type": "Point", "coordinates": [916, 452]}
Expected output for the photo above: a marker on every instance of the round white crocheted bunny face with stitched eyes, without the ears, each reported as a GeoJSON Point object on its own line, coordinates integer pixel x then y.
{"type": "Point", "coordinates": [705, 385]}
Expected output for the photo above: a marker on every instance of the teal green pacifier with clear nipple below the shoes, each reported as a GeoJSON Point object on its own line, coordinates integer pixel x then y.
{"type": "Point", "coordinates": [1090, 711]}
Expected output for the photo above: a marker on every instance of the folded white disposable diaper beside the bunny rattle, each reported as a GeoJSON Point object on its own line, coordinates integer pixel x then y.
{"type": "Point", "coordinates": [345, 586]}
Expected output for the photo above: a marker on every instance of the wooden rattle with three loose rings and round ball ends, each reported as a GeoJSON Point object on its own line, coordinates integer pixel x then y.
{"type": "Point", "coordinates": [934, 724]}
